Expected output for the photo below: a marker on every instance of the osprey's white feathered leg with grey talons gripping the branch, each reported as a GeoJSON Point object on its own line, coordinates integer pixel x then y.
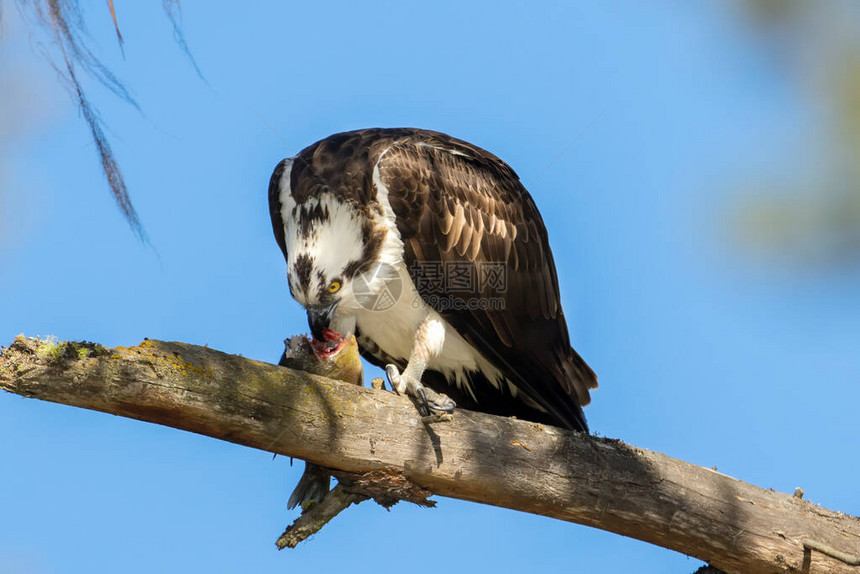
{"type": "Point", "coordinates": [428, 343]}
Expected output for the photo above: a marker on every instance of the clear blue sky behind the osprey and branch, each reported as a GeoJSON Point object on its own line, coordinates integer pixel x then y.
{"type": "Point", "coordinates": [703, 352]}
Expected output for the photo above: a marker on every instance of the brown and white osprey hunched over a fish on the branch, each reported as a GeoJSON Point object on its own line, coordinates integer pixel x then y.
{"type": "Point", "coordinates": [432, 253]}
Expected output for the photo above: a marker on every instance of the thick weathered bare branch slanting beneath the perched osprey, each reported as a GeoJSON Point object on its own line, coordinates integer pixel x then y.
{"type": "Point", "coordinates": [515, 464]}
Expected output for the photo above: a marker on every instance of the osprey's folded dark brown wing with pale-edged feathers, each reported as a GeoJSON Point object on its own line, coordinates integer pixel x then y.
{"type": "Point", "coordinates": [462, 210]}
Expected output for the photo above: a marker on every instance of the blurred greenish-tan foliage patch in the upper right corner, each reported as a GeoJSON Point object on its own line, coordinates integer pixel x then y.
{"type": "Point", "coordinates": [819, 224]}
